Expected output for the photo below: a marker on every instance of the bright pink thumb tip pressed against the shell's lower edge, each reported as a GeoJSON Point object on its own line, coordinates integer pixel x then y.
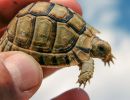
{"type": "Point", "coordinates": [25, 71]}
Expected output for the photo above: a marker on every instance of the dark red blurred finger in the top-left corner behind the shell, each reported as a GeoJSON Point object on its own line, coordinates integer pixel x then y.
{"type": "Point", "coordinates": [11, 7]}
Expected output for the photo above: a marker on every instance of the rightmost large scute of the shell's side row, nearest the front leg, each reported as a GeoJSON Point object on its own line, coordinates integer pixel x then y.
{"type": "Point", "coordinates": [65, 39]}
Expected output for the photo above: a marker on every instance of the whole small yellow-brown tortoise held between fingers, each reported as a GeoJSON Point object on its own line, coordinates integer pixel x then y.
{"type": "Point", "coordinates": [56, 36]}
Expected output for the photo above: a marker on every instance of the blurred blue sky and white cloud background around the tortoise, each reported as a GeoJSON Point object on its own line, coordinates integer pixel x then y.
{"type": "Point", "coordinates": [112, 18]}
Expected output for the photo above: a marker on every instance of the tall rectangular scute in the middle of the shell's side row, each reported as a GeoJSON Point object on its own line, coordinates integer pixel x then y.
{"type": "Point", "coordinates": [44, 34]}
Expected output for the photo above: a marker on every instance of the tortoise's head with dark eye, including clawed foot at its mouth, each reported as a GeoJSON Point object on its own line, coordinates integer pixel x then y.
{"type": "Point", "coordinates": [101, 49]}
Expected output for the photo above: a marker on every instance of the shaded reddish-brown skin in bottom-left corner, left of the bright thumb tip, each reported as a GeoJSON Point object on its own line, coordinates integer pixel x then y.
{"type": "Point", "coordinates": [7, 88]}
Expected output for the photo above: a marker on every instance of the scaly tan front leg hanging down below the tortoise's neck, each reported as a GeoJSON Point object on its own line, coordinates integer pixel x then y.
{"type": "Point", "coordinates": [86, 72]}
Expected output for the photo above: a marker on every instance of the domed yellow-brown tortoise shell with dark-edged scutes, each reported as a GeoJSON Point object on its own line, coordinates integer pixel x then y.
{"type": "Point", "coordinates": [47, 31]}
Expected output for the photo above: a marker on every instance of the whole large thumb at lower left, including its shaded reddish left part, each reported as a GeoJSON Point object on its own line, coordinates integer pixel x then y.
{"type": "Point", "coordinates": [20, 74]}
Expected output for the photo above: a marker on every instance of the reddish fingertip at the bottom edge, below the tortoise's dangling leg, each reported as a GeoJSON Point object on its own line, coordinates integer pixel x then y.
{"type": "Point", "coordinates": [73, 94]}
